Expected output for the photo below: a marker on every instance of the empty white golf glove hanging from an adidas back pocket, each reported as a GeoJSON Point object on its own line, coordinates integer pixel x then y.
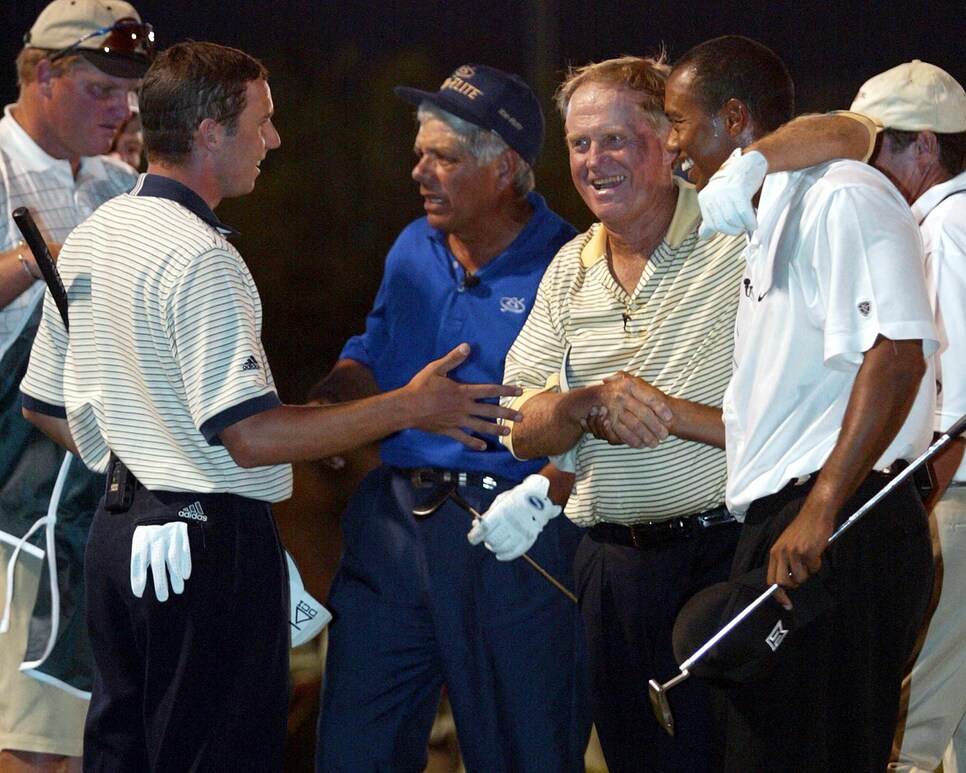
{"type": "Point", "coordinates": [165, 548]}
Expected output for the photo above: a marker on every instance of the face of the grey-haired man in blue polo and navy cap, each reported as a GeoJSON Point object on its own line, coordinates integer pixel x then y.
{"type": "Point", "coordinates": [458, 192]}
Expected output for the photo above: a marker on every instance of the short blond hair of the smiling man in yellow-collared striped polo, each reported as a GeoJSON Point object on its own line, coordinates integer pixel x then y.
{"type": "Point", "coordinates": [645, 75]}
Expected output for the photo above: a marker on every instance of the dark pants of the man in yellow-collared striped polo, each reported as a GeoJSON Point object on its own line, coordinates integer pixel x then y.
{"type": "Point", "coordinates": [629, 599]}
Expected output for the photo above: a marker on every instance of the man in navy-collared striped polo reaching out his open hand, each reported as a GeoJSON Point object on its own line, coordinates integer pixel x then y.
{"type": "Point", "coordinates": [163, 382]}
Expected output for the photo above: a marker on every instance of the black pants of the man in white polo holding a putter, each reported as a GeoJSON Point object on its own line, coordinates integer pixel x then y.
{"type": "Point", "coordinates": [831, 703]}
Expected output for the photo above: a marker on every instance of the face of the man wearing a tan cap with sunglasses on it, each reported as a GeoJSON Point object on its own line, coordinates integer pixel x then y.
{"type": "Point", "coordinates": [84, 110]}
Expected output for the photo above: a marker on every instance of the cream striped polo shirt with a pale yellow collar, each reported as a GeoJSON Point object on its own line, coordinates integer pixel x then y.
{"type": "Point", "coordinates": [675, 331]}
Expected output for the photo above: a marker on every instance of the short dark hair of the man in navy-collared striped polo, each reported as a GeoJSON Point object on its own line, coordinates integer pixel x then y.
{"type": "Point", "coordinates": [188, 83]}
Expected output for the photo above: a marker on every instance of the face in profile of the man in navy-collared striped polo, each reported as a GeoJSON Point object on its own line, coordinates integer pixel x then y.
{"type": "Point", "coordinates": [241, 151]}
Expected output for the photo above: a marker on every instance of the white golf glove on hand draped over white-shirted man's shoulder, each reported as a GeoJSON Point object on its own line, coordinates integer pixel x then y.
{"type": "Point", "coordinates": [726, 200]}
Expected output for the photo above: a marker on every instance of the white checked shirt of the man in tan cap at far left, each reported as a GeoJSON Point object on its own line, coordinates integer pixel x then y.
{"type": "Point", "coordinates": [58, 202]}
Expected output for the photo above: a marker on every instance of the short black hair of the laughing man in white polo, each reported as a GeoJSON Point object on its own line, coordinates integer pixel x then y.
{"type": "Point", "coordinates": [735, 67]}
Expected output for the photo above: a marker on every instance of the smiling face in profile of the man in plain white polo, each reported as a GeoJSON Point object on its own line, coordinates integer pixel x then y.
{"type": "Point", "coordinates": [696, 137]}
